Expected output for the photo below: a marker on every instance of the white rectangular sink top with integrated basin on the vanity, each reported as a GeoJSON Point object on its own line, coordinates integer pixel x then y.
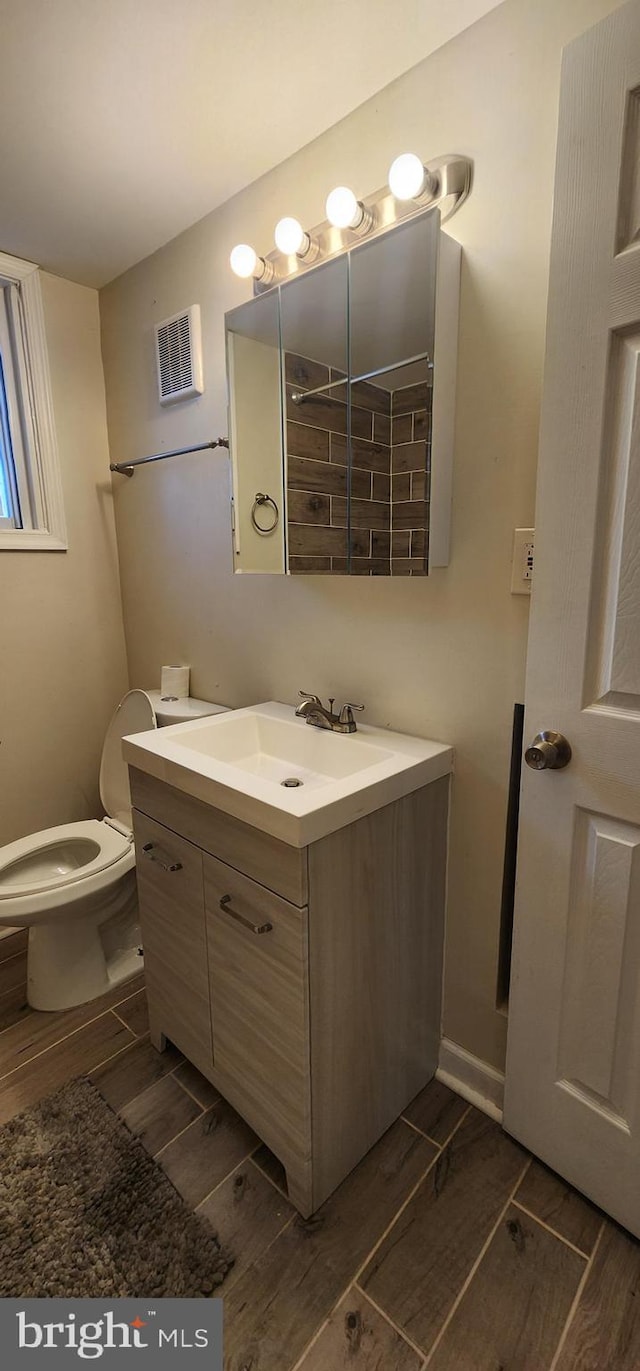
{"type": "Point", "coordinates": [283, 775]}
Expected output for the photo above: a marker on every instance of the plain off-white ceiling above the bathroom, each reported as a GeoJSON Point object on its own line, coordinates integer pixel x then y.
{"type": "Point", "coordinates": [125, 121]}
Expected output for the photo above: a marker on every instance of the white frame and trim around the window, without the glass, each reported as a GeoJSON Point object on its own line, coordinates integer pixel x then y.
{"type": "Point", "coordinates": [45, 524]}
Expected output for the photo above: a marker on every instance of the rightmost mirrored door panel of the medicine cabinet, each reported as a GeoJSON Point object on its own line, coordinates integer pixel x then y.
{"type": "Point", "coordinates": [393, 306]}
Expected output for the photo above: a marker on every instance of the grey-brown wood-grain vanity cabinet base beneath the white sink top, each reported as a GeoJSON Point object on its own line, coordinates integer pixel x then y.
{"type": "Point", "coordinates": [305, 984]}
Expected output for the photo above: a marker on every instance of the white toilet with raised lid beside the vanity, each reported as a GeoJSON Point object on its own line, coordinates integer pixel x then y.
{"type": "Point", "coordinates": [75, 886]}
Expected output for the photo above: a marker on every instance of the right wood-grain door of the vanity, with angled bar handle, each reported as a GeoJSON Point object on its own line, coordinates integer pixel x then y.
{"type": "Point", "coordinates": [260, 1007]}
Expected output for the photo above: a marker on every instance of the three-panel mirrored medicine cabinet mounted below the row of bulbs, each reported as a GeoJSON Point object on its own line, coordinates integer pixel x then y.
{"type": "Point", "coordinates": [335, 415]}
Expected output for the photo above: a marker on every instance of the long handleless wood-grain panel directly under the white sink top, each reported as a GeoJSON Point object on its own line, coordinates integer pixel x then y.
{"type": "Point", "coordinates": [265, 859]}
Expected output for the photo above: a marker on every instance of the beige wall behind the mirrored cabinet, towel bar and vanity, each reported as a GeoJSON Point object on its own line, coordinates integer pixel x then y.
{"type": "Point", "coordinates": [443, 657]}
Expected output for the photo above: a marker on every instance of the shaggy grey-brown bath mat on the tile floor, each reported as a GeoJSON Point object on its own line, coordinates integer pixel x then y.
{"type": "Point", "coordinates": [86, 1211]}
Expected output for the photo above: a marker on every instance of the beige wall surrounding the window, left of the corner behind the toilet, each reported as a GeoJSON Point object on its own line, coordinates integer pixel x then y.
{"type": "Point", "coordinates": [64, 662]}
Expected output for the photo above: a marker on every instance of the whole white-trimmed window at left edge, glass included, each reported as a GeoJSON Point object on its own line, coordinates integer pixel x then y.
{"type": "Point", "coordinates": [32, 513]}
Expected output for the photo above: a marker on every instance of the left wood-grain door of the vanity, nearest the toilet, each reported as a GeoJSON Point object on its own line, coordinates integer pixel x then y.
{"type": "Point", "coordinates": [172, 917]}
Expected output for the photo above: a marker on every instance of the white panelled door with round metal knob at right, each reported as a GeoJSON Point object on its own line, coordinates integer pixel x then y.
{"type": "Point", "coordinates": [574, 1065]}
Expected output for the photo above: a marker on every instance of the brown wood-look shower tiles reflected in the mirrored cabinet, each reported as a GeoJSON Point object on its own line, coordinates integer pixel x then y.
{"type": "Point", "coordinates": [390, 497]}
